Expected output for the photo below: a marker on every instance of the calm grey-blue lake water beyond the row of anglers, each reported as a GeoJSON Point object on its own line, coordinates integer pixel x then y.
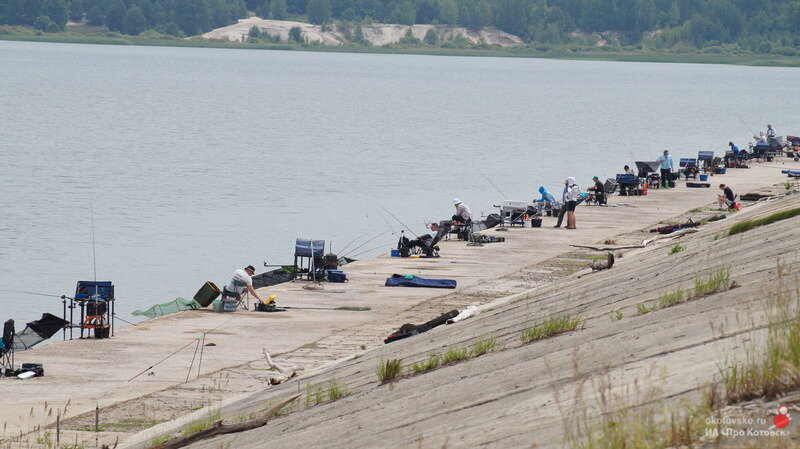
{"type": "Point", "coordinates": [194, 162]}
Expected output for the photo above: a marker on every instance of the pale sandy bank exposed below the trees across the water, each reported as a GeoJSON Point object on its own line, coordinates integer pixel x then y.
{"type": "Point", "coordinates": [377, 34]}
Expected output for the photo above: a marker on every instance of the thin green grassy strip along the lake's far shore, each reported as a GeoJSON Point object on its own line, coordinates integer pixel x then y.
{"type": "Point", "coordinates": [611, 56]}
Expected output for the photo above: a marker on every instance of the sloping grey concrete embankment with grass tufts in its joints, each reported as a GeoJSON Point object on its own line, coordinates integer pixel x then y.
{"type": "Point", "coordinates": [521, 395]}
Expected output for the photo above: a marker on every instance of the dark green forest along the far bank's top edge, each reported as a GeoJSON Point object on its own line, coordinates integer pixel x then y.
{"type": "Point", "coordinates": [758, 25]}
